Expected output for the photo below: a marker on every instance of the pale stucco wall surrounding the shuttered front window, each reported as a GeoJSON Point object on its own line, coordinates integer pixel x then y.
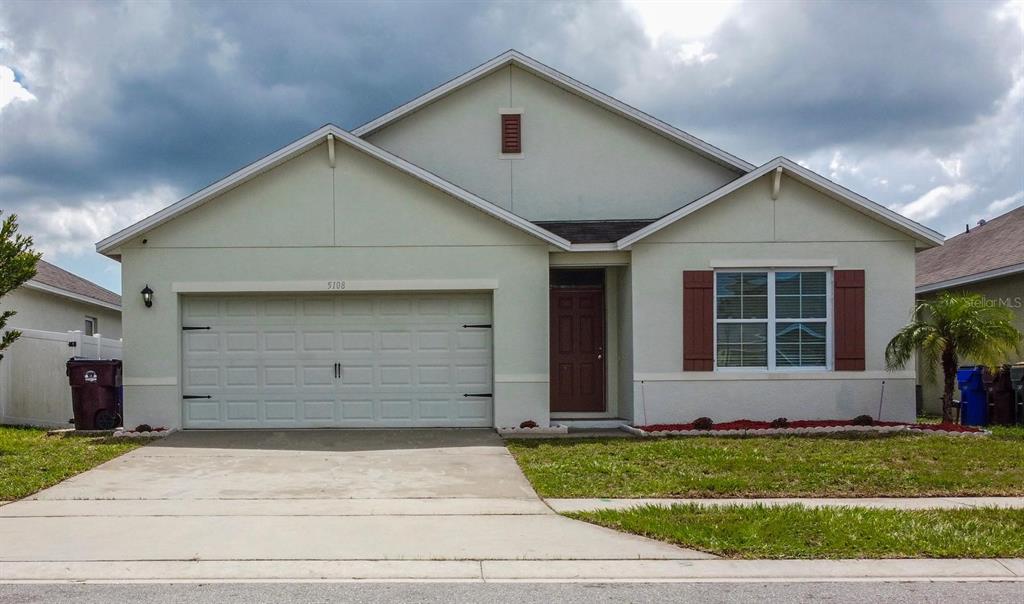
{"type": "Point", "coordinates": [747, 226]}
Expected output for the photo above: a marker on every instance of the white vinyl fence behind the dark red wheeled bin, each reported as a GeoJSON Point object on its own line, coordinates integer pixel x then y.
{"type": "Point", "coordinates": [34, 389]}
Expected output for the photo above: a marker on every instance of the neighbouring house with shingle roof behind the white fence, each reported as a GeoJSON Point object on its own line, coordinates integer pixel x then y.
{"type": "Point", "coordinates": [57, 300]}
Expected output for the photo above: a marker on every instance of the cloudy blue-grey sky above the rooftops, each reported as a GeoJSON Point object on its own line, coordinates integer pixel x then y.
{"type": "Point", "coordinates": [111, 111]}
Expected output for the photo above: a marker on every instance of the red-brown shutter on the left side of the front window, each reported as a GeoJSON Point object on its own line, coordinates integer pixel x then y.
{"type": "Point", "coordinates": [699, 321]}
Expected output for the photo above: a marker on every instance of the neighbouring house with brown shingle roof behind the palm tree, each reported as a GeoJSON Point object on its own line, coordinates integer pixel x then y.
{"type": "Point", "coordinates": [987, 260]}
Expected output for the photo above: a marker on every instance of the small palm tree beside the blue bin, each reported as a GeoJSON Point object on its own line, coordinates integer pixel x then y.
{"type": "Point", "coordinates": [954, 327]}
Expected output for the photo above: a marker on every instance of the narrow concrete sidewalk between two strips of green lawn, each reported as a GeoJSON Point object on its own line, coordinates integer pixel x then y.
{"type": "Point", "coordinates": [588, 505]}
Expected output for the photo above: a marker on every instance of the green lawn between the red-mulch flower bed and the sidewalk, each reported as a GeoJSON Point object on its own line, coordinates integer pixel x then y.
{"type": "Point", "coordinates": [797, 466]}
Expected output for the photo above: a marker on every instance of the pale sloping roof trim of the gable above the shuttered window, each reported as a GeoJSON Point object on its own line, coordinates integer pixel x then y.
{"type": "Point", "coordinates": [926, 237]}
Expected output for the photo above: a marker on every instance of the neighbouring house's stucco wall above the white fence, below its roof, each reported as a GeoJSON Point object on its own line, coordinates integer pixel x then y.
{"type": "Point", "coordinates": [42, 311]}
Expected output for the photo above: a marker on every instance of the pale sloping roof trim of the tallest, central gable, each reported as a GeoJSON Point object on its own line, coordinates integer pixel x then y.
{"type": "Point", "coordinates": [544, 72]}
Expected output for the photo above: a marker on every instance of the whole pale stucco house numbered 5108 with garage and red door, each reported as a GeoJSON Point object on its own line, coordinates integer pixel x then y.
{"type": "Point", "coordinates": [514, 246]}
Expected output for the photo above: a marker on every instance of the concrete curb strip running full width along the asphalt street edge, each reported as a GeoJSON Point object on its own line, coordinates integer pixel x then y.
{"type": "Point", "coordinates": [516, 571]}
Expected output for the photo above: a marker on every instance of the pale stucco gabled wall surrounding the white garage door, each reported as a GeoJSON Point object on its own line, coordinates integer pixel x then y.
{"type": "Point", "coordinates": [304, 225]}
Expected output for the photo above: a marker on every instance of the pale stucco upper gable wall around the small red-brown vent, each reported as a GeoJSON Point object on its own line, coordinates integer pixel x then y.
{"type": "Point", "coordinates": [579, 162]}
